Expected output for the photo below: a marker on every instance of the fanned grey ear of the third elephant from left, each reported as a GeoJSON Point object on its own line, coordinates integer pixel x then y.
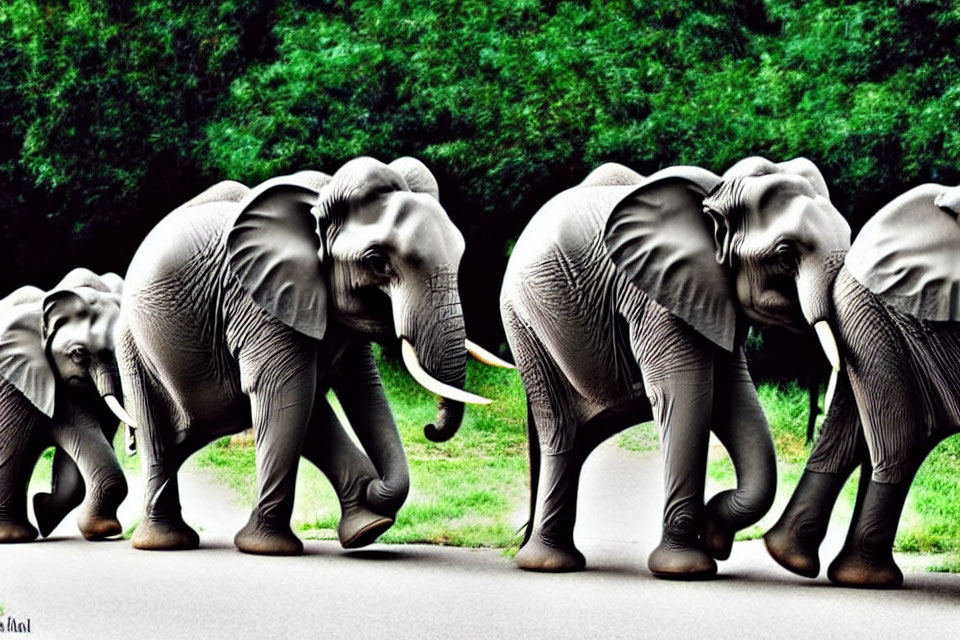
{"type": "Point", "coordinates": [659, 237]}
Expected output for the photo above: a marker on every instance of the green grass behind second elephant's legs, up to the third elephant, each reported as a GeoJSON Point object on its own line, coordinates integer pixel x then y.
{"type": "Point", "coordinates": [469, 491]}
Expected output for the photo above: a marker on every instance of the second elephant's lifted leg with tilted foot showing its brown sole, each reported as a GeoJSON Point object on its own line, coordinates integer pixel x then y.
{"type": "Point", "coordinates": [349, 470]}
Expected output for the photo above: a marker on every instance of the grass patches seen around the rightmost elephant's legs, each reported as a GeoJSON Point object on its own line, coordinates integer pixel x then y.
{"type": "Point", "coordinates": [931, 517]}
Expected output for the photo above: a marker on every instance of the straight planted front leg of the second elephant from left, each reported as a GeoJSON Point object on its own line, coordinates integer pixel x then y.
{"type": "Point", "coordinates": [280, 418]}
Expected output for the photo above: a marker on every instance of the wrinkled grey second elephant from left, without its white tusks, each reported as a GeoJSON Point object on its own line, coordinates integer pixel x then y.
{"type": "Point", "coordinates": [244, 307]}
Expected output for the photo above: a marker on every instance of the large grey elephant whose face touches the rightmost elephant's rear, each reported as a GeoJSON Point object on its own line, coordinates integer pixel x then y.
{"type": "Point", "coordinates": [628, 298]}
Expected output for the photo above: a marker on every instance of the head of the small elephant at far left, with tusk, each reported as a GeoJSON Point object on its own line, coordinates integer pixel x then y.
{"type": "Point", "coordinates": [64, 338]}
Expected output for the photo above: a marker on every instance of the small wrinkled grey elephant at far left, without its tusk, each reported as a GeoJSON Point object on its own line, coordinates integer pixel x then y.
{"type": "Point", "coordinates": [56, 362]}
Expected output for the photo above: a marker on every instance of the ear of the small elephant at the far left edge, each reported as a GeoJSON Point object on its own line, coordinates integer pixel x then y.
{"type": "Point", "coordinates": [23, 362]}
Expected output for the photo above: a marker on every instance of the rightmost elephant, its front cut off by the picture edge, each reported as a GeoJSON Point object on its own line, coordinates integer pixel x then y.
{"type": "Point", "coordinates": [895, 305]}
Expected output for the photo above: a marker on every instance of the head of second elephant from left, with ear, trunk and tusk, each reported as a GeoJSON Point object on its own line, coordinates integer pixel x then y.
{"type": "Point", "coordinates": [371, 250]}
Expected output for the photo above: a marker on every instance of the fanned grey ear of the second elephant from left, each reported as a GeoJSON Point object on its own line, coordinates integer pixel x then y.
{"type": "Point", "coordinates": [273, 249]}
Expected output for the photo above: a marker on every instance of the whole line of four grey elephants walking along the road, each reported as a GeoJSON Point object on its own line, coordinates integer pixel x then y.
{"type": "Point", "coordinates": [627, 298]}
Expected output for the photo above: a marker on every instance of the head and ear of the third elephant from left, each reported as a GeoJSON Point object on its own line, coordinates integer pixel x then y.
{"type": "Point", "coordinates": [760, 240]}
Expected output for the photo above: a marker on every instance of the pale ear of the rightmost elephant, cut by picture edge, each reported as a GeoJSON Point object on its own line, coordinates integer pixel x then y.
{"type": "Point", "coordinates": [908, 254]}
